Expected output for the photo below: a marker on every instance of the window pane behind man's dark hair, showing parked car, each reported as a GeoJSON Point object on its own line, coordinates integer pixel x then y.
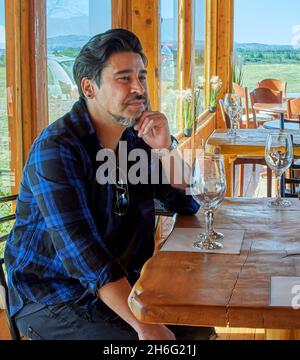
{"type": "Point", "coordinates": [70, 24]}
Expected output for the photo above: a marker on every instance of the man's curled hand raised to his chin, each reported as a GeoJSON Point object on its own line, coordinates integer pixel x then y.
{"type": "Point", "coordinates": [153, 128]}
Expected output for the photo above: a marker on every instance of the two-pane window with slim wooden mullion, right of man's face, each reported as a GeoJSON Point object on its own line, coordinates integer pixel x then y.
{"type": "Point", "coordinates": [182, 62]}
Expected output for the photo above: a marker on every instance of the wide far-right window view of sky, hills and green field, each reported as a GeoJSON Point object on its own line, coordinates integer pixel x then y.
{"type": "Point", "coordinates": [267, 41]}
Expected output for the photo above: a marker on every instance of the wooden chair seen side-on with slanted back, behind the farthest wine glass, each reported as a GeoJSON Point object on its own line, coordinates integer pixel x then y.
{"type": "Point", "coordinates": [249, 120]}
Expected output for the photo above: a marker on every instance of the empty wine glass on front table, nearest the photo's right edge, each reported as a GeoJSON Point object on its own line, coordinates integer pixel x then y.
{"type": "Point", "coordinates": [279, 157]}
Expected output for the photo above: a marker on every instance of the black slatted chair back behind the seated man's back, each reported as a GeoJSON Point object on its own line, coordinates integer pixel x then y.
{"type": "Point", "coordinates": [14, 332]}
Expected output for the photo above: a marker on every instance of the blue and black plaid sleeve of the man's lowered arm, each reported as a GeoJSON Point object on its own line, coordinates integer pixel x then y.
{"type": "Point", "coordinates": [56, 178]}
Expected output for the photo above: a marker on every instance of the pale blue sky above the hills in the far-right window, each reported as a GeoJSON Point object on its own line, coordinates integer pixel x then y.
{"type": "Point", "coordinates": [267, 21]}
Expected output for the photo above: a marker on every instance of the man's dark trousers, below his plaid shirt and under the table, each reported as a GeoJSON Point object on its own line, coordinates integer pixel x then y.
{"type": "Point", "coordinates": [70, 321]}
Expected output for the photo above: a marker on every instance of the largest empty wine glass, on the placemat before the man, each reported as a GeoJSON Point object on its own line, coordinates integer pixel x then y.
{"type": "Point", "coordinates": [209, 187]}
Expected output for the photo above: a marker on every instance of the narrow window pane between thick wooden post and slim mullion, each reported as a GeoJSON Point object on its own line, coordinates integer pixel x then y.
{"type": "Point", "coordinates": [168, 61]}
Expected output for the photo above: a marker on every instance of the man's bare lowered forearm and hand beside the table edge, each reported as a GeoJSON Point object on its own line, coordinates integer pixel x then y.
{"type": "Point", "coordinates": [115, 295]}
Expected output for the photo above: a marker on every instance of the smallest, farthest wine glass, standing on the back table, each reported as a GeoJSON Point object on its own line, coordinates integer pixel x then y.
{"type": "Point", "coordinates": [233, 107]}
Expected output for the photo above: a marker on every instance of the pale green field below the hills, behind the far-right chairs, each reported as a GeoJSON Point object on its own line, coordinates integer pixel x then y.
{"type": "Point", "coordinates": [287, 72]}
